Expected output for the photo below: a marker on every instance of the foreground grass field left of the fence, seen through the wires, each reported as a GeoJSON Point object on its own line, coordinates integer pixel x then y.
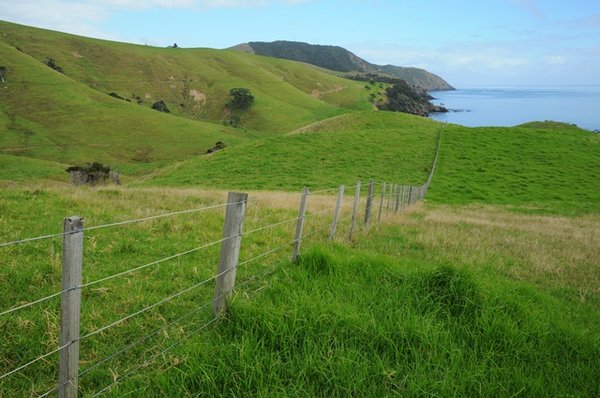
{"type": "Point", "coordinates": [169, 256]}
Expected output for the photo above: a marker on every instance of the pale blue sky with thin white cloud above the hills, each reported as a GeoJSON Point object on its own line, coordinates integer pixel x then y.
{"type": "Point", "coordinates": [489, 43]}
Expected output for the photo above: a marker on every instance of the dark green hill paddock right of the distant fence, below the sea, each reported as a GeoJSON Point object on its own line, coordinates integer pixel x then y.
{"type": "Point", "coordinates": [541, 167]}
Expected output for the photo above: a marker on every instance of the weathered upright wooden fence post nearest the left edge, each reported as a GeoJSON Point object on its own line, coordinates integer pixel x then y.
{"type": "Point", "coordinates": [70, 306]}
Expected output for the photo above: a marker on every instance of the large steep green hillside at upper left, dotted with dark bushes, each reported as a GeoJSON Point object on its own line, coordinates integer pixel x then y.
{"type": "Point", "coordinates": [69, 117]}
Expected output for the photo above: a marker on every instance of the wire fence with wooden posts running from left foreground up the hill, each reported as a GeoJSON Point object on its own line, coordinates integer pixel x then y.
{"type": "Point", "coordinates": [112, 336]}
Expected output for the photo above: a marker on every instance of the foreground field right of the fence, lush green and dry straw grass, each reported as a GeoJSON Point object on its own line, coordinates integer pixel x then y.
{"type": "Point", "coordinates": [441, 301]}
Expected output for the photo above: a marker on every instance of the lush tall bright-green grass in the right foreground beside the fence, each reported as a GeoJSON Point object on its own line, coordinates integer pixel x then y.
{"type": "Point", "coordinates": [348, 323]}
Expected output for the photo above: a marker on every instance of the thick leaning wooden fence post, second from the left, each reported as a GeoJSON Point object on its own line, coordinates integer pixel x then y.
{"type": "Point", "coordinates": [230, 250]}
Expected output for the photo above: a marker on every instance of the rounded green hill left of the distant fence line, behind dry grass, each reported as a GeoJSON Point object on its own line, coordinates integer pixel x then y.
{"type": "Point", "coordinates": [365, 145]}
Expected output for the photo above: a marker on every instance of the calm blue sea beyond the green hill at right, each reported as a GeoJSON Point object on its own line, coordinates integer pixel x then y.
{"type": "Point", "coordinates": [509, 106]}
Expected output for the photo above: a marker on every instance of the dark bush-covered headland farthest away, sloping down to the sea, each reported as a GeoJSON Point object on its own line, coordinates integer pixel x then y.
{"type": "Point", "coordinates": [339, 59]}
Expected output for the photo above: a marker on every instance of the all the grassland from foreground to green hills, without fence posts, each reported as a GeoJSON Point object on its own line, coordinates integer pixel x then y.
{"type": "Point", "coordinates": [488, 288]}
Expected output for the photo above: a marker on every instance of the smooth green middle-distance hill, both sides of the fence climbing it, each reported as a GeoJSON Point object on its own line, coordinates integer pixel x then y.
{"type": "Point", "coordinates": [540, 167]}
